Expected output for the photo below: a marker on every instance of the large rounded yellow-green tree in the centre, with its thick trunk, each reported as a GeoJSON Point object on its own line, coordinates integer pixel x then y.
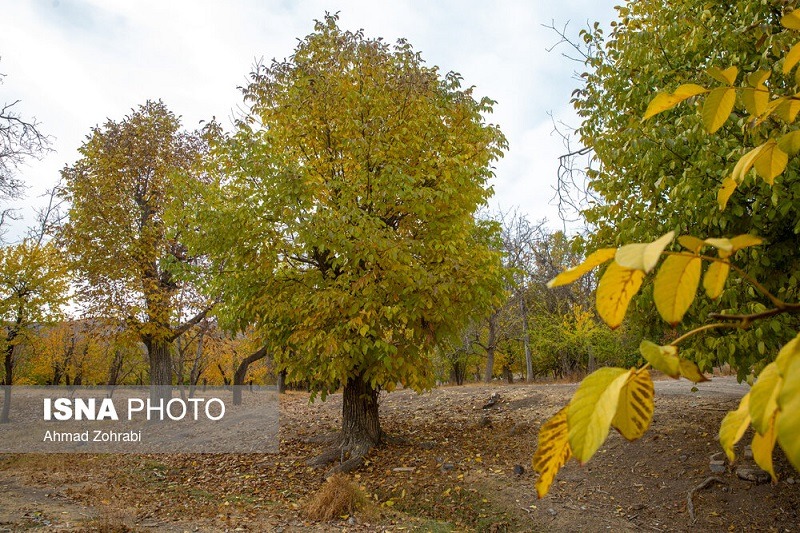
{"type": "Point", "coordinates": [345, 217]}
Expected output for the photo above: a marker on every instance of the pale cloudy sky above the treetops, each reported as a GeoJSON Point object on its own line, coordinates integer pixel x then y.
{"type": "Point", "coordinates": [75, 63]}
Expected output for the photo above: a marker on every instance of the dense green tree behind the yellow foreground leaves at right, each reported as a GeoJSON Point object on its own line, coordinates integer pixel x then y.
{"type": "Point", "coordinates": [654, 176]}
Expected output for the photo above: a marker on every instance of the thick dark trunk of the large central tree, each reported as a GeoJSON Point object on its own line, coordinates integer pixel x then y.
{"type": "Point", "coordinates": [360, 425]}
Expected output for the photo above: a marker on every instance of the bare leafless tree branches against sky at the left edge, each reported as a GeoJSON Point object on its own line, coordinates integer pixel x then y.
{"type": "Point", "coordinates": [20, 139]}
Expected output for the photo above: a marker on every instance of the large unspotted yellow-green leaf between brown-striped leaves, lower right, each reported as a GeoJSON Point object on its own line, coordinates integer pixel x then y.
{"type": "Point", "coordinates": [592, 408]}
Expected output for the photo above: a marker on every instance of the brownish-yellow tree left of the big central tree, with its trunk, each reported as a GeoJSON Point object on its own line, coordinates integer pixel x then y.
{"type": "Point", "coordinates": [126, 253]}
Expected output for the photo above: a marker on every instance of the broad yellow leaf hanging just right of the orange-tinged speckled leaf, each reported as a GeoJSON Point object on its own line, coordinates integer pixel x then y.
{"type": "Point", "coordinates": [675, 286]}
